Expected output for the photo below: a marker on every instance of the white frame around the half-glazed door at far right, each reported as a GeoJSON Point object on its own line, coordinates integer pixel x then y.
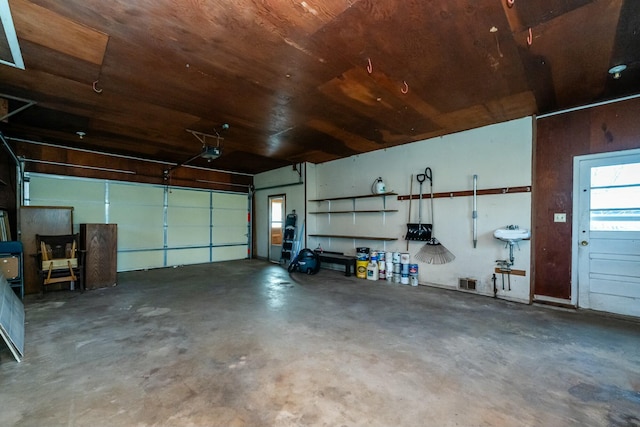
{"type": "Point", "coordinates": [575, 223]}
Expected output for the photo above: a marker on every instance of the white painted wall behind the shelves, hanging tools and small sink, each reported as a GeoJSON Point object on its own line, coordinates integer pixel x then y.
{"type": "Point", "coordinates": [501, 156]}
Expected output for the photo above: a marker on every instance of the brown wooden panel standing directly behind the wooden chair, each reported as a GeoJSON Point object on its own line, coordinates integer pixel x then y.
{"type": "Point", "coordinates": [40, 220]}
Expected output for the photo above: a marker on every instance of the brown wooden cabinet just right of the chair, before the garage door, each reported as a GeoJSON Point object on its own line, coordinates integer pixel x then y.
{"type": "Point", "coordinates": [100, 265]}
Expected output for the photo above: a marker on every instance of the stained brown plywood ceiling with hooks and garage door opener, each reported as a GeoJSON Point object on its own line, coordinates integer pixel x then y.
{"type": "Point", "coordinates": [311, 80]}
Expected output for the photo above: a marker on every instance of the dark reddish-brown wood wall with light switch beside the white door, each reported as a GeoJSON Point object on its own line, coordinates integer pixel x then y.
{"type": "Point", "coordinates": [559, 139]}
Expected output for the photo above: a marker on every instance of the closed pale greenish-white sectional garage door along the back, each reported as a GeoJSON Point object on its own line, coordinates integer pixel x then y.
{"type": "Point", "coordinates": [157, 226]}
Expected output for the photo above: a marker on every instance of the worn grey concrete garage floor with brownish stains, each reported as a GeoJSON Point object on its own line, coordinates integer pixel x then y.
{"type": "Point", "coordinates": [244, 344]}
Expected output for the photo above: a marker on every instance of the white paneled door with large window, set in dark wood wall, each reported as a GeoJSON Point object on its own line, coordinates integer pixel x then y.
{"type": "Point", "coordinates": [607, 232]}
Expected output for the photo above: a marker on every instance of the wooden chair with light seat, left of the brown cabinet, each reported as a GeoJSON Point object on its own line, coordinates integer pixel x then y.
{"type": "Point", "coordinates": [59, 261]}
